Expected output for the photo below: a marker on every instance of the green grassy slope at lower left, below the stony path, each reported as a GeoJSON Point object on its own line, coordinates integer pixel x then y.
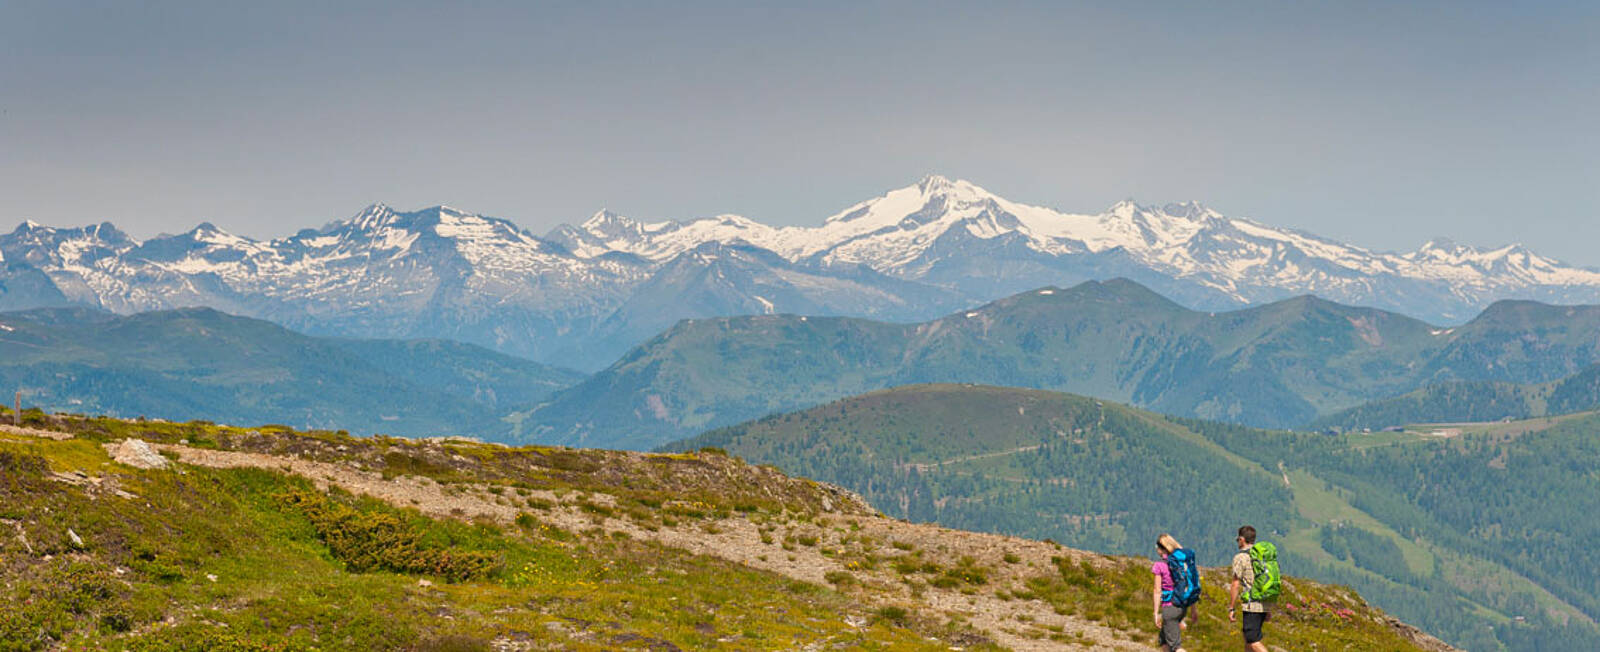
{"type": "Point", "coordinates": [142, 576]}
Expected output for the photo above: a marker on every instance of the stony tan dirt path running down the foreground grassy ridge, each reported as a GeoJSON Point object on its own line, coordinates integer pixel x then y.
{"type": "Point", "coordinates": [738, 539]}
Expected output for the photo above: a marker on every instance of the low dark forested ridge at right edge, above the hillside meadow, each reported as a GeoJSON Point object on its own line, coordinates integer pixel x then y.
{"type": "Point", "coordinates": [1473, 402]}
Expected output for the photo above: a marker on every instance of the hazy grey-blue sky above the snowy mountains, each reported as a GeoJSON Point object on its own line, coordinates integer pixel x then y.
{"type": "Point", "coordinates": [1377, 124]}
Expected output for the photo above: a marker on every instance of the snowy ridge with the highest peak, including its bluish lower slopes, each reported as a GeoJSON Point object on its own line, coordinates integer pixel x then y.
{"type": "Point", "coordinates": [942, 231]}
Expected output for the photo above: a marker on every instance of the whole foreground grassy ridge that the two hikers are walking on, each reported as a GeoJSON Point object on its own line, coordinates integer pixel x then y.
{"type": "Point", "coordinates": [220, 559]}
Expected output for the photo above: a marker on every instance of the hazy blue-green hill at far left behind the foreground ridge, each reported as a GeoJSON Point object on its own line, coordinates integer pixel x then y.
{"type": "Point", "coordinates": [206, 365]}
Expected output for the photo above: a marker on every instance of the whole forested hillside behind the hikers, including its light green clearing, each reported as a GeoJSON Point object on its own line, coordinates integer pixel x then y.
{"type": "Point", "coordinates": [1396, 515]}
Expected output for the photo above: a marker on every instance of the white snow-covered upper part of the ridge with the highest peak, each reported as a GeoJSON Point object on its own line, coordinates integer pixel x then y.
{"type": "Point", "coordinates": [940, 221]}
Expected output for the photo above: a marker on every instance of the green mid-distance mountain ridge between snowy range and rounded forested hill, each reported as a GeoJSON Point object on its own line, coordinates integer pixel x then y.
{"type": "Point", "coordinates": [1279, 365]}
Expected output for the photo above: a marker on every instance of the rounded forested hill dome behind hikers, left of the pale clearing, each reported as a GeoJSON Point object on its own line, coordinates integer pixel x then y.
{"type": "Point", "coordinates": [1036, 464]}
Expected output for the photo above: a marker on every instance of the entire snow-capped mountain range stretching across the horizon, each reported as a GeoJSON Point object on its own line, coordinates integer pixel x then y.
{"type": "Point", "coordinates": [583, 295]}
